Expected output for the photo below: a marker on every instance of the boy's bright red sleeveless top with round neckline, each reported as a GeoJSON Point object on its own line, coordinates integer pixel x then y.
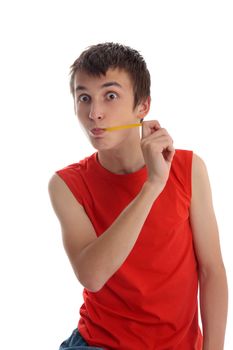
{"type": "Point", "coordinates": [150, 303]}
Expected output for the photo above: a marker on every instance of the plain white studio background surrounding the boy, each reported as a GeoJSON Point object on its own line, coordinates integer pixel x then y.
{"type": "Point", "coordinates": [188, 49]}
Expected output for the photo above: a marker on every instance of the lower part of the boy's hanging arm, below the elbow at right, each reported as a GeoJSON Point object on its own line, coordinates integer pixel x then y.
{"type": "Point", "coordinates": [213, 303]}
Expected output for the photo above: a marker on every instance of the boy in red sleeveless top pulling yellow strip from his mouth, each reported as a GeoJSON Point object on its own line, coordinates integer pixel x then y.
{"type": "Point", "coordinates": [137, 219]}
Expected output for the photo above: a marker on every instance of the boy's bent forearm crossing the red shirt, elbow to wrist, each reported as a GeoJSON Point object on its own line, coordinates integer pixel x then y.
{"type": "Point", "coordinates": [104, 256]}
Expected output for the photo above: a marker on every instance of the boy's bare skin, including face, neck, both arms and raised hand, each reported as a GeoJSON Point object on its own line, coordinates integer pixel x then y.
{"type": "Point", "coordinates": [121, 152]}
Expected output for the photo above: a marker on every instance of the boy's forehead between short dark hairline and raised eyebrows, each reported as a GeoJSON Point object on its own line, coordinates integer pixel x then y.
{"type": "Point", "coordinates": [118, 76]}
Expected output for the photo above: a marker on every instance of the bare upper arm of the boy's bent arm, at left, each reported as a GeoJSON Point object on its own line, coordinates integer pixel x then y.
{"type": "Point", "coordinates": [77, 229]}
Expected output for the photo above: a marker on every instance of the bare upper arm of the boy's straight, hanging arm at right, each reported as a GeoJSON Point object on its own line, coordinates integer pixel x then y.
{"type": "Point", "coordinates": [203, 221]}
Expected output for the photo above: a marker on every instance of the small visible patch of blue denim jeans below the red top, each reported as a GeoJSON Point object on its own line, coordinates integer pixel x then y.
{"type": "Point", "coordinates": [76, 342]}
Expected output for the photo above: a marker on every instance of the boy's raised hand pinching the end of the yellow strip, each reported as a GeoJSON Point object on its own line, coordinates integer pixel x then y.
{"type": "Point", "coordinates": [158, 151]}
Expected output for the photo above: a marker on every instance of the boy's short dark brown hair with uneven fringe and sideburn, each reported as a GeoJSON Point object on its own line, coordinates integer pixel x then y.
{"type": "Point", "coordinates": [97, 59]}
